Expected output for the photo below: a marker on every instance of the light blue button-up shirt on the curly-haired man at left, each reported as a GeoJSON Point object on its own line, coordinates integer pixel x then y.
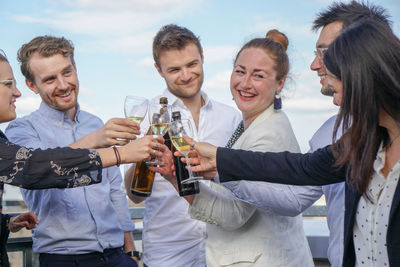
{"type": "Point", "coordinates": [78, 220]}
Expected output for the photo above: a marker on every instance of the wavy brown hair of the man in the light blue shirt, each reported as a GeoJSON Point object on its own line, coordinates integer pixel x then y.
{"type": "Point", "coordinates": [46, 46]}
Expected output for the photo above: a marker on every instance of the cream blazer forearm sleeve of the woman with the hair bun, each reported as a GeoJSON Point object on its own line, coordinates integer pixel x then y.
{"type": "Point", "coordinates": [217, 205]}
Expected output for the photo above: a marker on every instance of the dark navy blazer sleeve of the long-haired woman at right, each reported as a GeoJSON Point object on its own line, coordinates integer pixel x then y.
{"type": "Point", "coordinates": [288, 168]}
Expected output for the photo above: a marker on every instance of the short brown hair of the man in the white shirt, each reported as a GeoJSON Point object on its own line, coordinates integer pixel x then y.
{"type": "Point", "coordinates": [173, 37]}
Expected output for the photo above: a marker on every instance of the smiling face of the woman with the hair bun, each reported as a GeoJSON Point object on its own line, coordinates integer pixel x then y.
{"type": "Point", "coordinates": [253, 82]}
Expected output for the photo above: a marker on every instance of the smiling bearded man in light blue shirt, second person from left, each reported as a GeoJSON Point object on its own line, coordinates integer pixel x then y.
{"type": "Point", "coordinates": [81, 226]}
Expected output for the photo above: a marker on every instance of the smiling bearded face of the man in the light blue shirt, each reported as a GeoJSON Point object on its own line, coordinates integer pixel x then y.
{"type": "Point", "coordinates": [56, 80]}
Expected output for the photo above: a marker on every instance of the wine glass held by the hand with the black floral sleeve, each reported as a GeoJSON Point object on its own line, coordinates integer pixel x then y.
{"type": "Point", "coordinates": [159, 119]}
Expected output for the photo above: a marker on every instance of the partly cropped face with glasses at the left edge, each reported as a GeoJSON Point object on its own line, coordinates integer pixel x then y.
{"type": "Point", "coordinates": [8, 93]}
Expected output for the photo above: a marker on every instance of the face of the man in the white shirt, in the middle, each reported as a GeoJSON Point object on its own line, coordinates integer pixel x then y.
{"type": "Point", "coordinates": [182, 70]}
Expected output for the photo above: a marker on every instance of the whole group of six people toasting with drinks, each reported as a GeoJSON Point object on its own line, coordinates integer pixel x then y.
{"type": "Point", "coordinates": [249, 213]}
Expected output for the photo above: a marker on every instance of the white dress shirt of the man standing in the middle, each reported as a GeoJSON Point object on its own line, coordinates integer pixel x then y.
{"type": "Point", "coordinates": [170, 236]}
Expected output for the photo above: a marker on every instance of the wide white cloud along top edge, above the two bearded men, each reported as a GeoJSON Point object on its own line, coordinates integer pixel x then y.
{"type": "Point", "coordinates": [110, 18]}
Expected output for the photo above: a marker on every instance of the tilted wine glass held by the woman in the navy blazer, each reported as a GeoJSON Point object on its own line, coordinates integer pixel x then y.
{"type": "Point", "coordinates": [177, 129]}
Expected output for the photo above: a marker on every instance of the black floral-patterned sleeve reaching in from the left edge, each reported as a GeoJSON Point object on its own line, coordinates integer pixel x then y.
{"type": "Point", "coordinates": [50, 168]}
